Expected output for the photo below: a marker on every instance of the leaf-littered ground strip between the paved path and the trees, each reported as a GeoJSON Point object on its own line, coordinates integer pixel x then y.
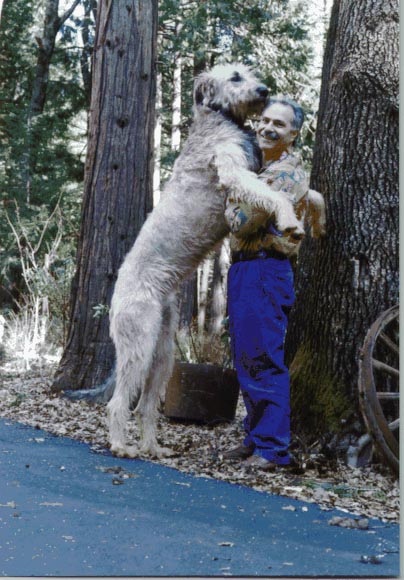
{"type": "Point", "coordinates": [368, 492]}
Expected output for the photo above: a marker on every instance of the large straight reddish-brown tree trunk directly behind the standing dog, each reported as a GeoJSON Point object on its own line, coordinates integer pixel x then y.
{"type": "Point", "coordinates": [118, 180]}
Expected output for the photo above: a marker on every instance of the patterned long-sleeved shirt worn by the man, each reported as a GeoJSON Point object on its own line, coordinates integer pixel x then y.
{"type": "Point", "coordinates": [251, 228]}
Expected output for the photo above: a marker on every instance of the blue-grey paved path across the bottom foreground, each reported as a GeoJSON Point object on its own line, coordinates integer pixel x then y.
{"type": "Point", "coordinates": [63, 512]}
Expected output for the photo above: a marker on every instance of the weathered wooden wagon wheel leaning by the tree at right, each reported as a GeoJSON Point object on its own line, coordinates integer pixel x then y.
{"type": "Point", "coordinates": [379, 385]}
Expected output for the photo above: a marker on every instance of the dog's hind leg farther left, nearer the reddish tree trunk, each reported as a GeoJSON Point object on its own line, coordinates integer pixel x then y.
{"type": "Point", "coordinates": [134, 331]}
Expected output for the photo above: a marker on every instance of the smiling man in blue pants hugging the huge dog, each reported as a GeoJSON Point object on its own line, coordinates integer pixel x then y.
{"type": "Point", "coordinates": [260, 292]}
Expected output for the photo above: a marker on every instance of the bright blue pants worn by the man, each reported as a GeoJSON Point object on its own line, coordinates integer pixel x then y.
{"type": "Point", "coordinates": [260, 295]}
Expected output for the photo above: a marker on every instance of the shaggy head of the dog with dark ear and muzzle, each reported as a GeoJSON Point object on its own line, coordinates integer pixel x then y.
{"type": "Point", "coordinates": [231, 89]}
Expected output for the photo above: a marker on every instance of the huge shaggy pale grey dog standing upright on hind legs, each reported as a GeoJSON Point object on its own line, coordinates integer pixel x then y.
{"type": "Point", "coordinates": [218, 160]}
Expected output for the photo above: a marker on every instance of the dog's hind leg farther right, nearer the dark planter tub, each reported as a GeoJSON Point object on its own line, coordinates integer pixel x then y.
{"type": "Point", "coordinates": [160, 373]}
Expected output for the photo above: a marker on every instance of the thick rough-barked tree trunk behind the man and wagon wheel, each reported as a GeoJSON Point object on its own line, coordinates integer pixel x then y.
{"type": "Point", "coordinates": [347, 279]}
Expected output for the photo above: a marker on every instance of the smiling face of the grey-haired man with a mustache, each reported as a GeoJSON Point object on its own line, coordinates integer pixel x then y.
{"type": "Point", "coordinates": [275, 130]}
